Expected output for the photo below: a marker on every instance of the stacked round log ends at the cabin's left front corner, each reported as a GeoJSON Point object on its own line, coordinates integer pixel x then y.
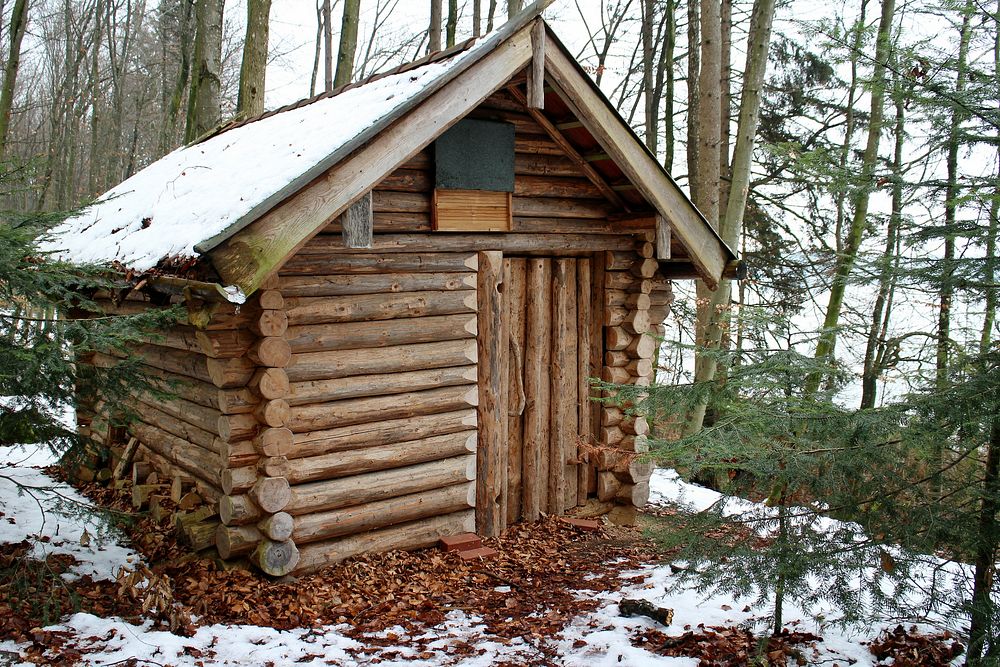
{"type": "Point", "coordinates": [257, 491]}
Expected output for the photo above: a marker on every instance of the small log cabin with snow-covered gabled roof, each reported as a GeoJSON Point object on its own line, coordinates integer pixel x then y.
{"type": "Point", "coordinates": [397, 294]}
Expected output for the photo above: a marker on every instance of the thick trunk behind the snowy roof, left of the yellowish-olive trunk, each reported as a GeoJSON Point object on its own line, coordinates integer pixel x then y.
{"type": "Point", "coordinates": [203, 102]}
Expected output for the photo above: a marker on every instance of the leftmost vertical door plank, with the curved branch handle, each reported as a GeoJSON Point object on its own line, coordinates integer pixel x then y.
{"type": "Point", "coordinates": [514, 298]}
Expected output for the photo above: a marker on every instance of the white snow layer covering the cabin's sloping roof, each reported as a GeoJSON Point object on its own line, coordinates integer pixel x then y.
{"type": "Point", "coordinates": [199, 191]}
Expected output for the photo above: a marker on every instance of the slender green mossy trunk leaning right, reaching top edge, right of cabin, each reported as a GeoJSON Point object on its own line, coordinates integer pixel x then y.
{"type": "Point", "coordinates": [845, 261]}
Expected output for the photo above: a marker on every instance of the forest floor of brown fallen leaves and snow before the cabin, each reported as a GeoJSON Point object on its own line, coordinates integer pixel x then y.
{"type": "Point", "coordinates": [550, 597]}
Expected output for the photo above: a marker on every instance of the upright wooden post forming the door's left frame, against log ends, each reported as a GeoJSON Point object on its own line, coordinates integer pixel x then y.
{"type": "Point", "coordinates": [490, 459]}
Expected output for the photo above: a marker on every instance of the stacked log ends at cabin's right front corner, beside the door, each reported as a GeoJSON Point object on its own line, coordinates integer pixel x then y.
{"type": "Point", "coordinates": [631, 285]}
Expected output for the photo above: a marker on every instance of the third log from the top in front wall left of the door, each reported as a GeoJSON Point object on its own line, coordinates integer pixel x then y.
{"type": "Point", "coordinates": [365, 307]}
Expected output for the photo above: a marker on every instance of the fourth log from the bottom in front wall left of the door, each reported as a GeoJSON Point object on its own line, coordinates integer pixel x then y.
{"type": "Point", "coordinates": [380, 457]}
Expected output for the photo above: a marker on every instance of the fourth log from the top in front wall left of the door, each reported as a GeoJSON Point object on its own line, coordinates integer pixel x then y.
{"type": "Point", "coordinates": [380, 333]}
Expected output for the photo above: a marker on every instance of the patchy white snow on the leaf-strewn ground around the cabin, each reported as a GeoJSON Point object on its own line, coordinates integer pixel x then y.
{"type": "Point", "coordinates": [595, 639]}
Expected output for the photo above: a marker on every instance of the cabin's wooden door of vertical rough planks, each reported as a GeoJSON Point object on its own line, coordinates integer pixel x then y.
{"type": "Point", "coordinates": [552, 348]}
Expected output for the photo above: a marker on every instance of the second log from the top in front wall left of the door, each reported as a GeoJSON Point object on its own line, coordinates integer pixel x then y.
{"type": "Point", "coordinates": [347, 285]}
